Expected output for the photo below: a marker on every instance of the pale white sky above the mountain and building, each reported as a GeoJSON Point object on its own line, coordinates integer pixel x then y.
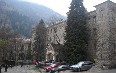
{"type": "Point", "coordinates": [62, 6]}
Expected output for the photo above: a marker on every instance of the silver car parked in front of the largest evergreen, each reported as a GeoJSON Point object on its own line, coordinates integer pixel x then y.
{"type": "Point", "coordinates": [82, 66]}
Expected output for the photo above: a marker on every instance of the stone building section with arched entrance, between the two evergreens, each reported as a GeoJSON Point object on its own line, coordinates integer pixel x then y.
{"type": "Point", "coordinates": [55, 35]}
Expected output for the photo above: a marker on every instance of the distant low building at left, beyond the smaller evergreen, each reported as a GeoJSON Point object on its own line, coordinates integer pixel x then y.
{"type": "Point", "coordinates": [22, 50]}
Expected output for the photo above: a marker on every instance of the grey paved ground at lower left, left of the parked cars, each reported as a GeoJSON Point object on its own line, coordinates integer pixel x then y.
{"type": "Point", "coordinates": [19, 69]}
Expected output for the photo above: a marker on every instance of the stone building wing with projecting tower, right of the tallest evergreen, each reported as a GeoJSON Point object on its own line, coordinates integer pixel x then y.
{"type": "Point", "coordinates": [102, 27]}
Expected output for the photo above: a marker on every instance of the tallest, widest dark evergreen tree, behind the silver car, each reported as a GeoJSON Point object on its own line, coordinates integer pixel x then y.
{"type": "Point", "coordinates": [76, 33]}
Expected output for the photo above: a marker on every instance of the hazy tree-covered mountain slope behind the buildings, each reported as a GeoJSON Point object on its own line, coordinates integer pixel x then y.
{"type": "Point", "coordinates": [22, 16]}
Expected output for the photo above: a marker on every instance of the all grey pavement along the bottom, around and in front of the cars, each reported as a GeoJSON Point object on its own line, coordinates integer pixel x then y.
{"type": "Point", "coordinates": [29, 69]}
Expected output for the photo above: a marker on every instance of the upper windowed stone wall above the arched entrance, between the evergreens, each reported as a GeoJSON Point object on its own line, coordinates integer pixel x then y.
{"type": "Point", "coordinates": [56, 32]}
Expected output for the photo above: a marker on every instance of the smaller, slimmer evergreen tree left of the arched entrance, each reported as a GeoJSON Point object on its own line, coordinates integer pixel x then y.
{"type": "Point", "coordinates": [40, 40]}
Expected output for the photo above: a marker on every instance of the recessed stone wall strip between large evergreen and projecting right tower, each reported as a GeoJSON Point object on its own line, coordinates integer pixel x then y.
{"type": "Point", "coordinates": [91, 22]}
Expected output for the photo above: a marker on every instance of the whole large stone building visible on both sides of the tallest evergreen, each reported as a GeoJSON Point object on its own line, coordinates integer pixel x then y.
{"type": "Point", "coordinates": [102, 28]}
